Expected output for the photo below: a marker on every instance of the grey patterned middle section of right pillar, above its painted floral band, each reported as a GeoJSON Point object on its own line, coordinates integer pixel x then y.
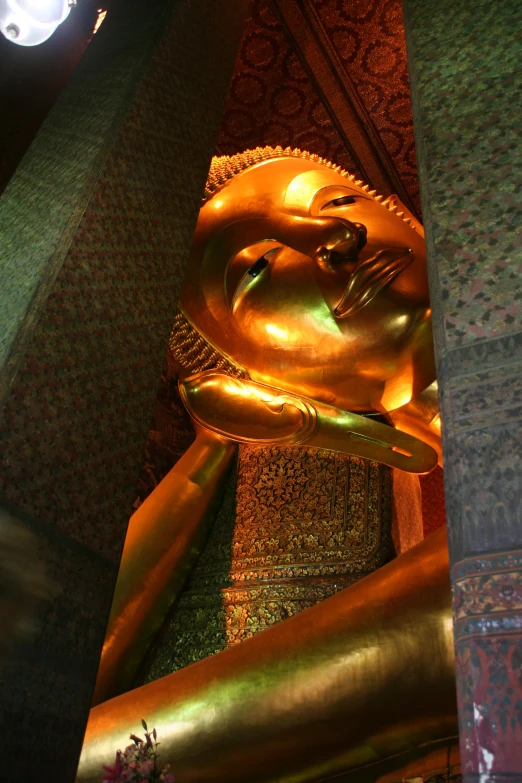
{"type": "Point", "coordinates": [483, 447]}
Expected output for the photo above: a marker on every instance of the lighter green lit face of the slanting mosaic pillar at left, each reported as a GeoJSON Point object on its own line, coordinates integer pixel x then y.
{"type": "Point", "coordinates": [42, 206]}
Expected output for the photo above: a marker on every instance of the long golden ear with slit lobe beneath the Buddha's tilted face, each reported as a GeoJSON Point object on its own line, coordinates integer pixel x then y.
{"type": "Point", "coordinates": [250, 412]}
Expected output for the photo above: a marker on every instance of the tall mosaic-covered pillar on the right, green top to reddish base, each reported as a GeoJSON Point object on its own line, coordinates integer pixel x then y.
{"type": "Point", "coordinates": [465, 71]}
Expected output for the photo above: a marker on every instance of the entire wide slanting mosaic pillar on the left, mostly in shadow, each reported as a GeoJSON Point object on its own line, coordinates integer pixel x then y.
{"type": "Point", "coordinates": [96, 226]}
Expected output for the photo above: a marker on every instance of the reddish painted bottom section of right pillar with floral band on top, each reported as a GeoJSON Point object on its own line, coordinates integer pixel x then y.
{"type": "Point", "coordinates": [487, 605]}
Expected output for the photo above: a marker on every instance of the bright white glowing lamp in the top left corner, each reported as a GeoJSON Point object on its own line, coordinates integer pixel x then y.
{"type": "Point", "coordinates": [31, 22]}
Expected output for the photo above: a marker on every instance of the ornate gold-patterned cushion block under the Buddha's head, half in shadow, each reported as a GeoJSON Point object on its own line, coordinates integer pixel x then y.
{"type": "Point", "coordinates": [300, 525]}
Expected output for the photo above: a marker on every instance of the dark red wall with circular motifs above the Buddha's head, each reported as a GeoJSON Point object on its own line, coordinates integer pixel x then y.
{"type": "Point", "coordinates": [276, 98]}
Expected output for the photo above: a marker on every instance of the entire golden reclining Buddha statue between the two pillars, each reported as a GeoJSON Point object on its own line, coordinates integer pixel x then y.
{"type": "Point", "coordinates": [304, 341]}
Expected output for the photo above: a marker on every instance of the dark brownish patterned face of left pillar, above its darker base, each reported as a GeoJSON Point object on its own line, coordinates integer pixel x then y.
{"type": "Point", "coordinates": [84, 394]}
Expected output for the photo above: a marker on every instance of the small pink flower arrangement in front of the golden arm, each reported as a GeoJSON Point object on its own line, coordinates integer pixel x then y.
{"type": "Point", "coordinates": [138, 762]}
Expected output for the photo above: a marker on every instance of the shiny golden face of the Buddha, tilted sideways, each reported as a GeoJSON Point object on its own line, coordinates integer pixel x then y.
{"type": "Point", "coordinates": [312, 286]}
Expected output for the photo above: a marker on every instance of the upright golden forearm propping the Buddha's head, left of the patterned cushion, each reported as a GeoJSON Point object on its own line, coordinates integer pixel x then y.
{"type": "Point", "coordinates": [163, 540]}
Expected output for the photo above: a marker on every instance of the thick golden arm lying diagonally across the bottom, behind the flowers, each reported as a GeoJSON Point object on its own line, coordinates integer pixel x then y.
{"type": "Point", "coordinates": [365, 674]}
